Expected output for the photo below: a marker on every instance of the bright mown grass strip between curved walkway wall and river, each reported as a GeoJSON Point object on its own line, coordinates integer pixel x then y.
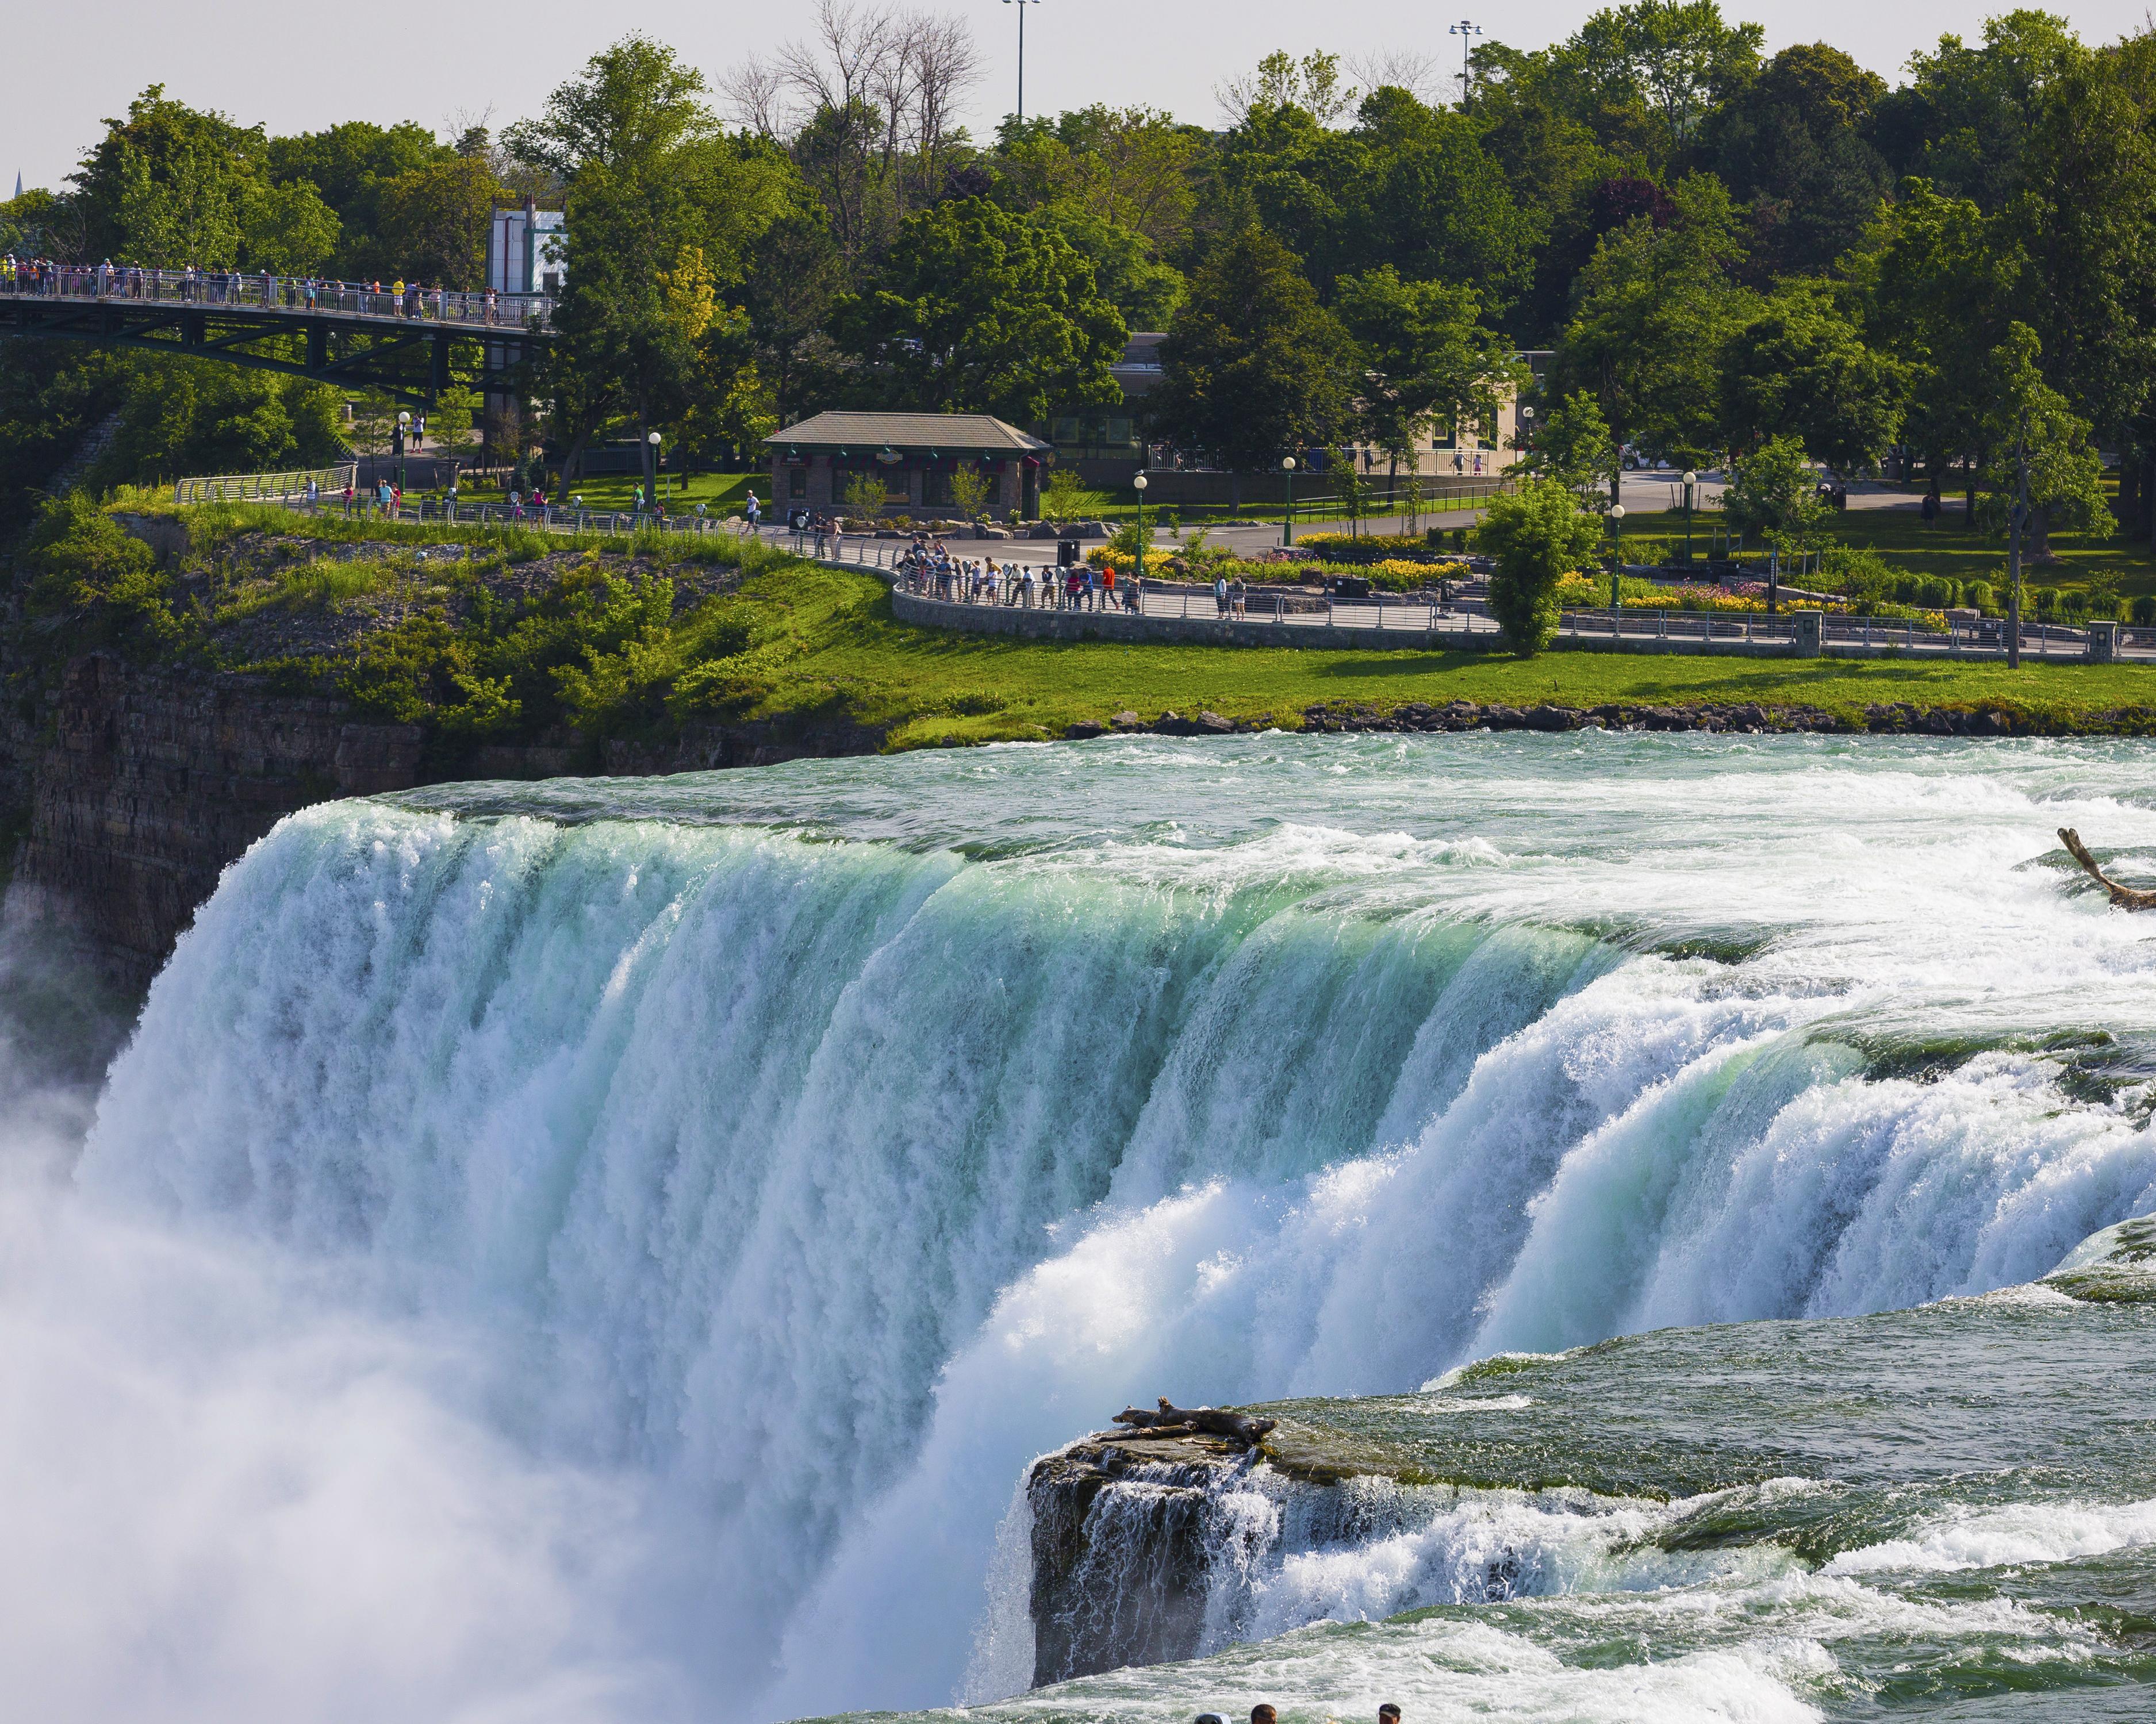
{"type": "Point", "coordinates": [937, 686]}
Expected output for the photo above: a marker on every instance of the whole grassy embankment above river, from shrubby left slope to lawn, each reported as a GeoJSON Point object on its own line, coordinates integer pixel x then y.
{"type": "Point", "coordinates": [529, 637]}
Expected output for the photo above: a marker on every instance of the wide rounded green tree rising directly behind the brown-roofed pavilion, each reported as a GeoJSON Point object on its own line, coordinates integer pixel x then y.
{"type": "Point", "coordinates": [980, 311]}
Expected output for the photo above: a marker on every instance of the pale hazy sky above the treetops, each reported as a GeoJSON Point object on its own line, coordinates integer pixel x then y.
{"type": "Point", "coordinates": [303, 68]}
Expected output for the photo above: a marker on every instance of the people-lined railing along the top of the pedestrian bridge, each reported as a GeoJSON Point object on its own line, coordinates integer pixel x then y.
{"type": "Point", "coordinates": [217, 290]}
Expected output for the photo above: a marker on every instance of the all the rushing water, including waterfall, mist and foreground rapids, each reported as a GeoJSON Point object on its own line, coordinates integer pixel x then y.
{"type": "Point", "coordinates": [611, 1249]}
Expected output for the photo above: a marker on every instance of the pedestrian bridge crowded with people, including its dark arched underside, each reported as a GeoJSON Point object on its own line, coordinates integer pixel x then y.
{"type": "Point", "coordinates": [357, 335]}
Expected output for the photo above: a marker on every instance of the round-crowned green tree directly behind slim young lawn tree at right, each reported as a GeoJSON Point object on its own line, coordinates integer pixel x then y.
{"type": "Point", "coordinates": [1801, 367]}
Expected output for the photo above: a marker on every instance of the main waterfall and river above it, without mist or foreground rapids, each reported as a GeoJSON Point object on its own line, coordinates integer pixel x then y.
{"type": "Point", "coordinates": [810, 1182]}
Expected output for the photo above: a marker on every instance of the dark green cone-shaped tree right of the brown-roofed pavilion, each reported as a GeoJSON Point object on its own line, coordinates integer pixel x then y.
{"type": "Point", "coordinates": [1254, 365]}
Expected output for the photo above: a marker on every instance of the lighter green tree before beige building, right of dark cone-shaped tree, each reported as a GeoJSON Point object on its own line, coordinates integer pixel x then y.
{"type": "Point", "coordinates": [1424, 357]}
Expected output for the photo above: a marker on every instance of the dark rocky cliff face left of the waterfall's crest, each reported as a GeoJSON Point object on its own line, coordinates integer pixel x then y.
{"type": "Point", "coordinates": [135, 788]}
